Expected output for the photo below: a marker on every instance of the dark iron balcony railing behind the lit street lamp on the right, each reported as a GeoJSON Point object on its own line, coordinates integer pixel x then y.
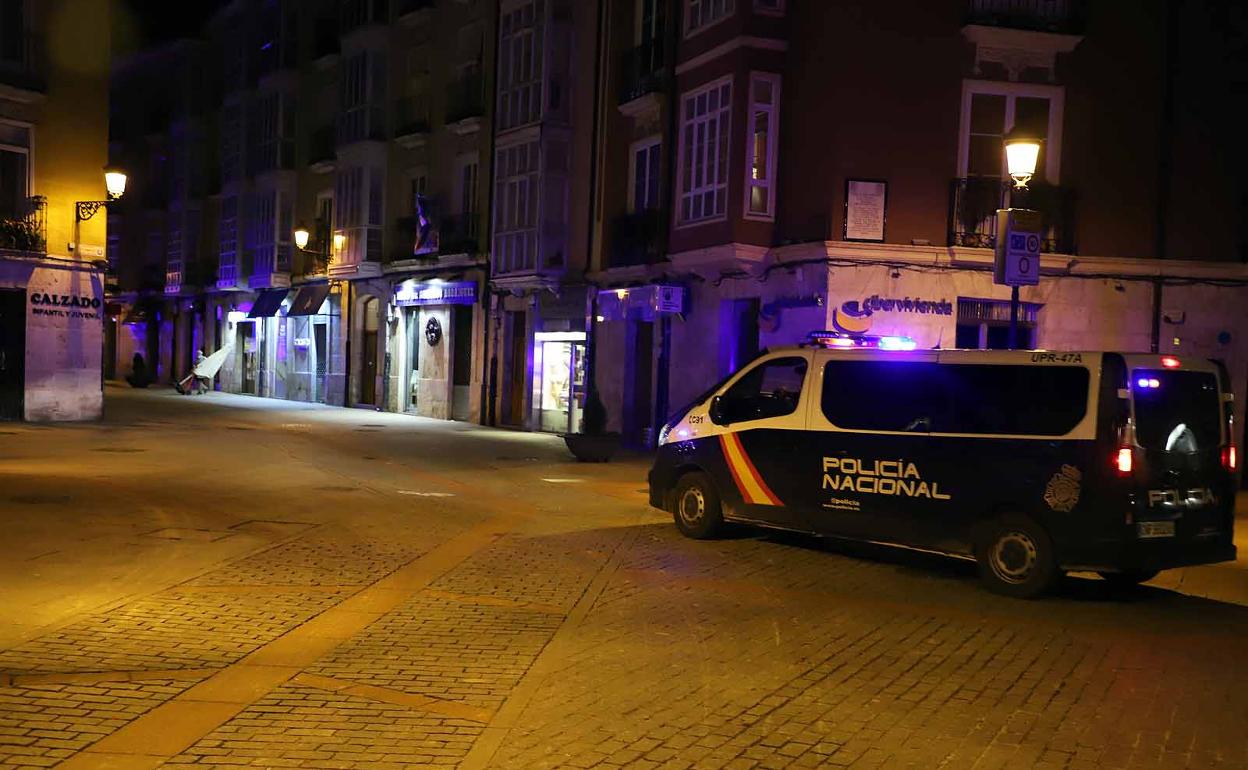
{"type": "Point", "coordinates": [973, 214]}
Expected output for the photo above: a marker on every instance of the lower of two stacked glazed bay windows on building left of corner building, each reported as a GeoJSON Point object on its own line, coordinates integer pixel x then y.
{"type": "Point", "coordinates": [516, 209]}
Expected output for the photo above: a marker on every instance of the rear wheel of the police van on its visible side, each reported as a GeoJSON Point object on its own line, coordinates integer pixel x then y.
{"type": "Point", "coordinates": [1016, 557]}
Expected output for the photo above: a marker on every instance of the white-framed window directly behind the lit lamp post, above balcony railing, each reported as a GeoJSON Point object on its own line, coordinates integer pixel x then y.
{"type": "Point", "coordinates": [990, 109]}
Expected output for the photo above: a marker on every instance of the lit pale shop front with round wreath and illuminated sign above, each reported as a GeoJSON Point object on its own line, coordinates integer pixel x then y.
{"type": "Point", "coordinates": [437, 336]}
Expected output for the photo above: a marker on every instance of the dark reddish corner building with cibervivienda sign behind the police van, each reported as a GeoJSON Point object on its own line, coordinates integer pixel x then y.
{"type": "Point", "coordinates": [814, 155]}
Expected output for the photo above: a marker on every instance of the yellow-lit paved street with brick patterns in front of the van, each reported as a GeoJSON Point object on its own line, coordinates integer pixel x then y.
{"type": "Point", "coordinates": [227, 581]}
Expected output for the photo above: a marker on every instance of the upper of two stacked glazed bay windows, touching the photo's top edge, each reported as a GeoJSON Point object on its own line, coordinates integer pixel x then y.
{"type": "Point", "coordinates": [520, 63]}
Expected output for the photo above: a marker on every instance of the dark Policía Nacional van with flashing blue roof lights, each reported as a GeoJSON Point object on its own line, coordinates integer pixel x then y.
{"type": "Point", "coordinates": [1034, 464]}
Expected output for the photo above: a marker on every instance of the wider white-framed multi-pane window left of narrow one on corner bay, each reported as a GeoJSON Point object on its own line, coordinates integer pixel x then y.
{"type": "Point", "coordinates": [704, 140]}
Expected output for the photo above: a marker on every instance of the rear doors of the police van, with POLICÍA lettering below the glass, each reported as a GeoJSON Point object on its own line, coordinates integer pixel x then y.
{"type": "Point", "coordinates": [1180, 427]}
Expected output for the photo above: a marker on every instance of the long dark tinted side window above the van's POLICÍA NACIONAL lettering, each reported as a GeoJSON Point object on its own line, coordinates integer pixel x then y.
{"type": "Point", "coordinates": [915, 396]}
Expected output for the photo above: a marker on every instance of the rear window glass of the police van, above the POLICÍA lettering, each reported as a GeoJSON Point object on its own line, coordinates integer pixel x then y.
{"type": "Point", "coordinates": [1177, 411]}
